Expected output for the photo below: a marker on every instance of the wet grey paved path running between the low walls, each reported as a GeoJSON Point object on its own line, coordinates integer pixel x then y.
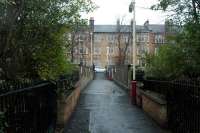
{"type": "Point", "coordinates": [104, 108]}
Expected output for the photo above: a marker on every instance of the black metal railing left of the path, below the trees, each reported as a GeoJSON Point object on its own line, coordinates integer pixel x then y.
{"type": "Point", "coordinates": [31, 109]}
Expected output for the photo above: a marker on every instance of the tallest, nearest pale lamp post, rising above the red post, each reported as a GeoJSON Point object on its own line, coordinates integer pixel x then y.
{"type": "Point", "coordinates": [132, 10]}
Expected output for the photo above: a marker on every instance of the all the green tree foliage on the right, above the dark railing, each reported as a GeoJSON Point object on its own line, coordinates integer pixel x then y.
{"type": "Point", "coordinates": [181, 58]}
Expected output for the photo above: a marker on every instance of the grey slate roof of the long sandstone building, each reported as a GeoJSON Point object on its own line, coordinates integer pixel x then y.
{"type": "Point", "coordinates": [127, 28]}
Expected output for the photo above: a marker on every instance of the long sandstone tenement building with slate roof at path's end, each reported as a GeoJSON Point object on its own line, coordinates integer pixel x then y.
{"type": "Point", "coordinates": [105, 43]}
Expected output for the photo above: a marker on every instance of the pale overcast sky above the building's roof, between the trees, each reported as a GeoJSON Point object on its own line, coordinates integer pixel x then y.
{"type": "Point", "coordinates": [110, 10]}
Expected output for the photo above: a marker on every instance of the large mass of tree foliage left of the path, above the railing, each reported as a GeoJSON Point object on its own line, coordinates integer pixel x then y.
{"type": "Point", "coordinates": [35, 36]}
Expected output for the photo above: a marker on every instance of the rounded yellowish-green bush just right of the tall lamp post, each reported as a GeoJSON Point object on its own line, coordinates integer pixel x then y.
{"type": "Point", "coordinates": [166, 64]}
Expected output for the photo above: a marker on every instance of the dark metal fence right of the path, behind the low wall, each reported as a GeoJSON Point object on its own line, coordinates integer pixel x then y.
{"type": "Point", "coordinates": [183, 103]}
